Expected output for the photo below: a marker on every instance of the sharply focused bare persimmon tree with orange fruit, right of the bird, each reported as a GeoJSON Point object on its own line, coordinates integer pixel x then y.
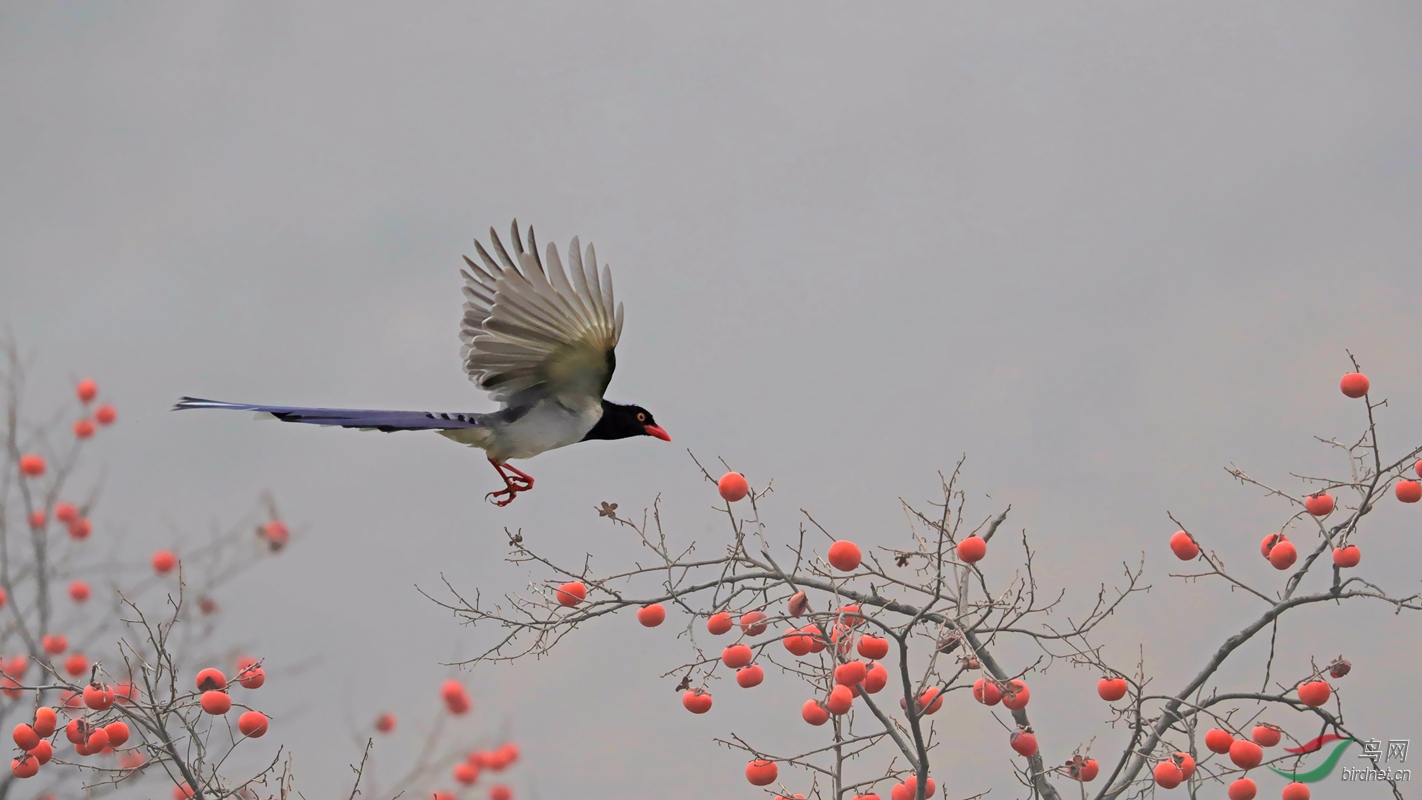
{"type": "Point", "coordinates": [880, 643]}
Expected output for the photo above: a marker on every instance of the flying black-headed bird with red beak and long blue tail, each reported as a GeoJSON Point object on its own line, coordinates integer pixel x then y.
{"type": "Point", "coordinates": [541, 343]}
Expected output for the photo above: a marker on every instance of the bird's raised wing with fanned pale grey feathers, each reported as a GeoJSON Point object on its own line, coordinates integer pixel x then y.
{"type": "Point", "coordinates": [531, 332]}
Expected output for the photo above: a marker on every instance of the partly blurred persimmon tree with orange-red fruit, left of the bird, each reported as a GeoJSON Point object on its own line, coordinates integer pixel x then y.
{"type": "Point", "coordinates": [113, 669]}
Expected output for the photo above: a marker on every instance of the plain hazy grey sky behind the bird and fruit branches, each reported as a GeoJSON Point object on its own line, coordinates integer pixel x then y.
{"type": "Point", "coordinates": [1101, 249]}
